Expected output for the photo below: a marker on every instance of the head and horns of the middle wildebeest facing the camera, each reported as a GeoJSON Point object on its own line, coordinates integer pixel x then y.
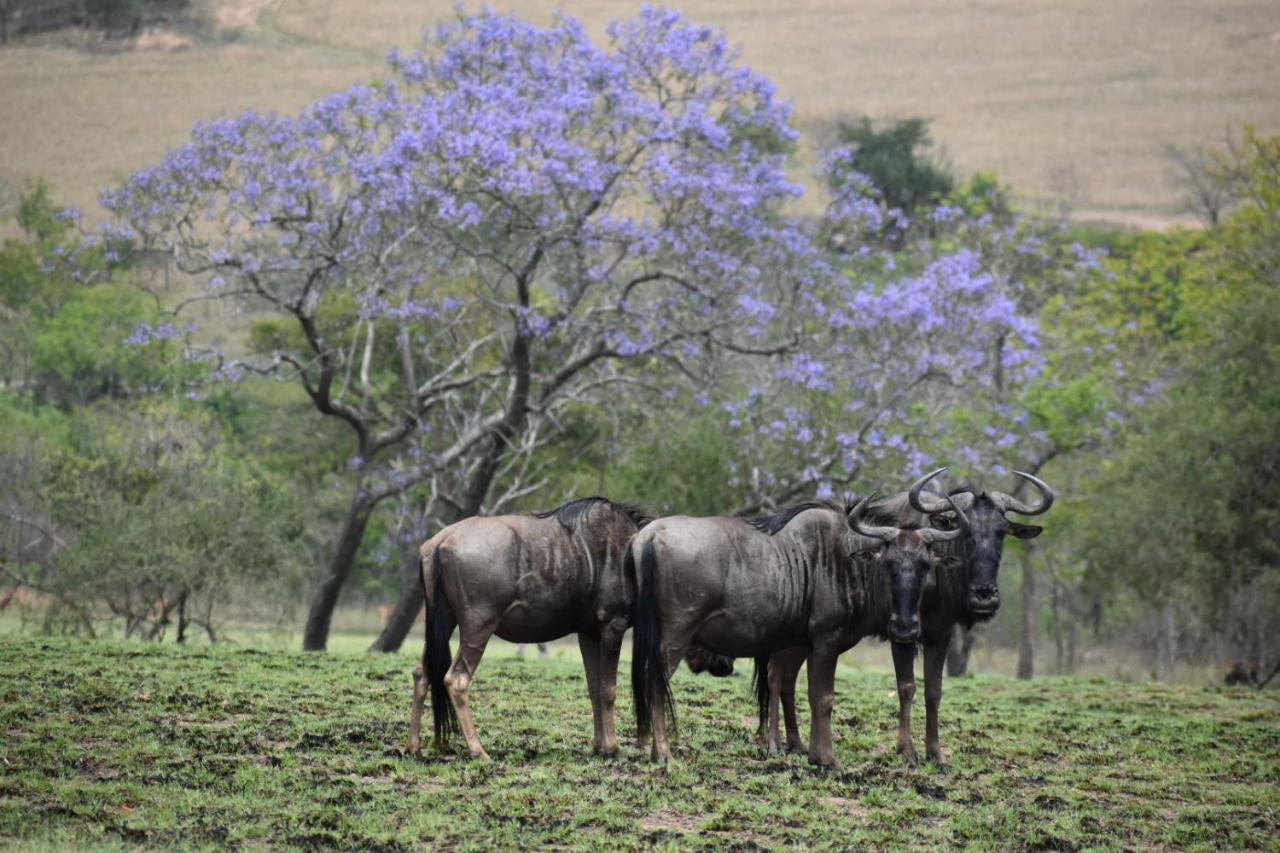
{"type": "Point", "coordinates": [907, 555]}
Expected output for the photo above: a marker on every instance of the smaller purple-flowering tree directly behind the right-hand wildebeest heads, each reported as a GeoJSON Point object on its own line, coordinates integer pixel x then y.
{"type": "Point", "coordinates": [912, 359]}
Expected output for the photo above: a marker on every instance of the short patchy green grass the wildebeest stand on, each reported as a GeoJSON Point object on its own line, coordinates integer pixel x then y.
{"type": "Point", "coordinates": [117, 745]}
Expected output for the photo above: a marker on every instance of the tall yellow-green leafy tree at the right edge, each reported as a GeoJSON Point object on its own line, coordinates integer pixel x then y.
{"type": "Point", "coordinates": [1199, 466]}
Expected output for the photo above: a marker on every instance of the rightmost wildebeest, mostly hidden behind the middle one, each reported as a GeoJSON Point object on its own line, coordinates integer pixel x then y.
{"type": "Point", "coordinates": [962, 591]}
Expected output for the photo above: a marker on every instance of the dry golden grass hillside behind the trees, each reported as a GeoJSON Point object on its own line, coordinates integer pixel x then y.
{"type": "Point", "coordinates": [1073, 97]}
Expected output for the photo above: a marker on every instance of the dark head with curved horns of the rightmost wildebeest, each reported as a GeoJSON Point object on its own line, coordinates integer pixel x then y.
{"type": "Point", "coordinates": [985, 527]}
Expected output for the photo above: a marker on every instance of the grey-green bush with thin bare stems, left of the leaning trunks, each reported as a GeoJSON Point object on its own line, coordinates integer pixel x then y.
{"type": "Point", "coordinates": [159, 526]}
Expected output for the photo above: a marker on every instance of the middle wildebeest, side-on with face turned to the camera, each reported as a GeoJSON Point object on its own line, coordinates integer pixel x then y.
{"type": "Point", "coordinates": [807, 577]}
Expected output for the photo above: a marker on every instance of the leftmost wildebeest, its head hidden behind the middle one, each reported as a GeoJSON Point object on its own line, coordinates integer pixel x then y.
{"type": "Point", "coordinates": [528, 580]}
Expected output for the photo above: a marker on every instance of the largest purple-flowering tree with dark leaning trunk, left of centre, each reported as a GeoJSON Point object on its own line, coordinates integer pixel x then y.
{"type": "Point", "coordinates": [514, 222]}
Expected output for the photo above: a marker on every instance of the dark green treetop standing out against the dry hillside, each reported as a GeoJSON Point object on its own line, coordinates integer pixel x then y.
{"type": "Point", "coordinates": [898, 161]}
